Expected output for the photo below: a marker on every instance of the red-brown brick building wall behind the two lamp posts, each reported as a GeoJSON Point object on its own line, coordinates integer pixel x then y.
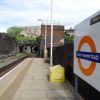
{"type": "Point", "coordinates": [58, 34]}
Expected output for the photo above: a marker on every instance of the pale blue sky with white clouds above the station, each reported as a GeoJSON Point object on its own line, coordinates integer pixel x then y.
{"type": "Point", "coordinates": [27, 12]}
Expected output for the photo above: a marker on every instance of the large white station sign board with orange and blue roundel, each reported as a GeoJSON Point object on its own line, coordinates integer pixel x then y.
{"type": "Point", "coordinates": [87, 50]}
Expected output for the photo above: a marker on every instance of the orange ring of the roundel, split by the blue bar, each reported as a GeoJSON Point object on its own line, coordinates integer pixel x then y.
{"type": "Point", "coordinates": [87, 71]}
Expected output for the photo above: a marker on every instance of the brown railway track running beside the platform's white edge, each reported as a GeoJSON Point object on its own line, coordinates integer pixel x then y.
{"type": "Point", "coordinates": [10, 66]}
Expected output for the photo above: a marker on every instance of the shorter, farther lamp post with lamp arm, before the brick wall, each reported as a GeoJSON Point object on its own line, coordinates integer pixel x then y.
{"type": "Point", "coordinates": [45, 48]}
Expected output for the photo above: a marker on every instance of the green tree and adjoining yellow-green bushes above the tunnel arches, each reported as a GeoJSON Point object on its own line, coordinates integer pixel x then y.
{"type": "Point", "coordinates": [14, 32]}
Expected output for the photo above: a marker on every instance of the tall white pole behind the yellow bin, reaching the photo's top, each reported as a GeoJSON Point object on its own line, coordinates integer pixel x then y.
{"type": "Point", "coordinates": [51, 49]}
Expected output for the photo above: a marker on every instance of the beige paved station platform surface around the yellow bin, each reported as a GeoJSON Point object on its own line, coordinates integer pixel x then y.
{"type": "Point", "coordinates": [32, 84]}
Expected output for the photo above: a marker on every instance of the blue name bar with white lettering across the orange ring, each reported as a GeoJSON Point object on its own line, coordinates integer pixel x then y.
{"type": "Point", "coordinates": [90, 56]}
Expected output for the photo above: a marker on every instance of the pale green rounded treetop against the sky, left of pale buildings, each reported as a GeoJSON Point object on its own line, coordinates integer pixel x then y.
{"type": "Point", "coordinates": [14, 31]}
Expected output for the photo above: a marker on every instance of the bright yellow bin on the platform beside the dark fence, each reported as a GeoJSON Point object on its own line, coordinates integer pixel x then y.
{"type": "Point", "coordinates": [57, 74]}
